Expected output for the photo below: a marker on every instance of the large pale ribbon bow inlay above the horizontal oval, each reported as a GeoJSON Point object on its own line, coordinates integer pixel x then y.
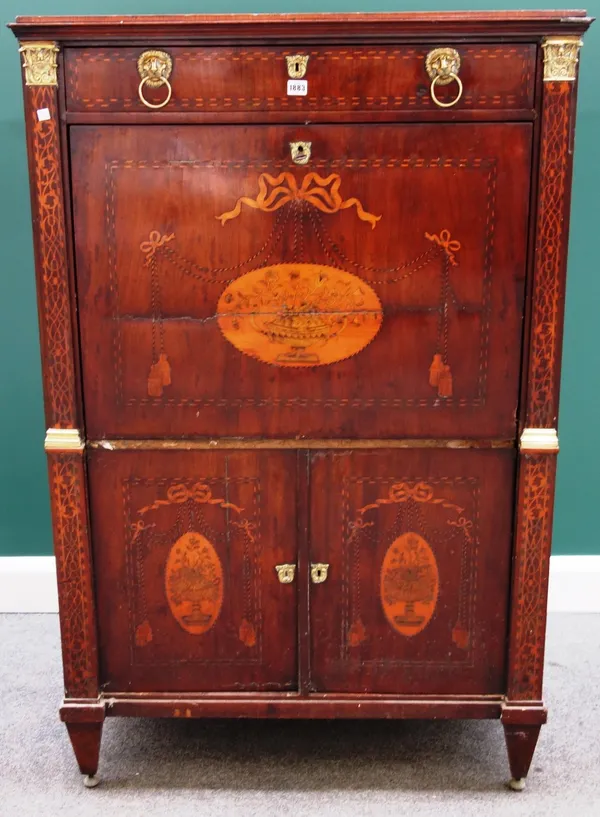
{"type": "Point", "coordinates": [322, 193]}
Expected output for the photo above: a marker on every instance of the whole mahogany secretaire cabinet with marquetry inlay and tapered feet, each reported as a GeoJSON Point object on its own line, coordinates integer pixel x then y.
{"type": "Point", "coordinates": [301, 286]}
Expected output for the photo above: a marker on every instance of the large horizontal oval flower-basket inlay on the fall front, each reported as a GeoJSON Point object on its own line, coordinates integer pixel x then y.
{"type": "Point", "coordinates": [299, 314]}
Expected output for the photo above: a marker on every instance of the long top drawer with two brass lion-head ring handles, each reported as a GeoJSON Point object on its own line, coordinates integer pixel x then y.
{"type": "Point", "coordinates": [384, 78]}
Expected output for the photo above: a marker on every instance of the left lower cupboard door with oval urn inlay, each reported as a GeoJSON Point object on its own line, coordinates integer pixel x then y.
{"type": "Point", "coordinates": [186, 546]}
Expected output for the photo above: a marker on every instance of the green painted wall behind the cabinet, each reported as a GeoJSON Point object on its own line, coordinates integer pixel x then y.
{"type": "Point", "coordinates": [24, 512]}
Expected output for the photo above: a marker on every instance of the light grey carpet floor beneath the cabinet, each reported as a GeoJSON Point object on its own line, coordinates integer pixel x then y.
{"type": "Point", "coordinates": [273, 768]}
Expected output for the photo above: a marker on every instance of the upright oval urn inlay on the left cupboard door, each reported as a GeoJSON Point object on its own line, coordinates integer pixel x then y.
{"type": "Point", "coordinates": [194, 583]}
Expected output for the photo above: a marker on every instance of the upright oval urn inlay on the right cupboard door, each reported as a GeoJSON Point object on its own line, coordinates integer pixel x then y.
{"type": "Point", "coordinates": [409, 584]}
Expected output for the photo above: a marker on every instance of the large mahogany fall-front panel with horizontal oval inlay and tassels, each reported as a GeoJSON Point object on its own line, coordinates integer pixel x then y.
{"type": "Point", "coordinates": [373, 287]}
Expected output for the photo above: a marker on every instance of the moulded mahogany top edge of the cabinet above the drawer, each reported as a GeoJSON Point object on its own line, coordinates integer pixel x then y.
{"type": "Point", "coordinates": [266, 26]}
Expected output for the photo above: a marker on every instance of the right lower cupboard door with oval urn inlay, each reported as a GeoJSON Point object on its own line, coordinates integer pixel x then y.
{"type": "Point", "coordinates": [418, 544]}
